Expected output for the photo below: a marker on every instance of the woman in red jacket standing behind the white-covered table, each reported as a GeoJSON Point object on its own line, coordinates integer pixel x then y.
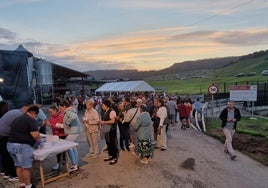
{"type": "Point", "coordinates": [56, 116]}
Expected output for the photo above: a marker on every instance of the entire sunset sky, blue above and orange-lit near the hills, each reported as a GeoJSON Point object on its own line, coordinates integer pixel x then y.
{"type": "Point", "coordinates": [133, 34]}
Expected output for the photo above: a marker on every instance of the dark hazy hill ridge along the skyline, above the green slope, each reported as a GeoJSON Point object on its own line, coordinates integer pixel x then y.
{"type": "Point", "coordinates": [185, 67]}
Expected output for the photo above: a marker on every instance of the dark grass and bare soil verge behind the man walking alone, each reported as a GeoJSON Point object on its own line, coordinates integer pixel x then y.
{"type": "Point", "coordinates": [251, 137]}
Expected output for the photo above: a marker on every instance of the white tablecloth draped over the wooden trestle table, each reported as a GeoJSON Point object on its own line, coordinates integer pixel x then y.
{"type": "Point", "coordinates": [53, 147]}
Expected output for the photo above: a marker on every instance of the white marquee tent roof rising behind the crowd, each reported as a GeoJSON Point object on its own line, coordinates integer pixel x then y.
{"type": "Point", "coordinates": [130, 86]}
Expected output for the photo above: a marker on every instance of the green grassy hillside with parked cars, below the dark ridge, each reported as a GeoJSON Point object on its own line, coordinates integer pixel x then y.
{"type": "Point", "coordinates": [202, 79]}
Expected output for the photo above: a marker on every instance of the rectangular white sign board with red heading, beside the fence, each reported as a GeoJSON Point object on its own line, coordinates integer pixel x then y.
{"type": "Point", "coordinates": [243, 93]}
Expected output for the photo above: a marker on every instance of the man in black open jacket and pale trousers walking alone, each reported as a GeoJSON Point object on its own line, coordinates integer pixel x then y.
{"type": "Point", "coordinates": [229, 117]}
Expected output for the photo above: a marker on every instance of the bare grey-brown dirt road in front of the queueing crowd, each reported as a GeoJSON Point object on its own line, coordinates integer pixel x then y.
{"type": "Point", "coordinates": [192, 160]}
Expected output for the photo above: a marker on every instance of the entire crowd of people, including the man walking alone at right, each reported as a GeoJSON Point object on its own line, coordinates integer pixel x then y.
{"type": "Point", "coordinates": [143, 122]}
